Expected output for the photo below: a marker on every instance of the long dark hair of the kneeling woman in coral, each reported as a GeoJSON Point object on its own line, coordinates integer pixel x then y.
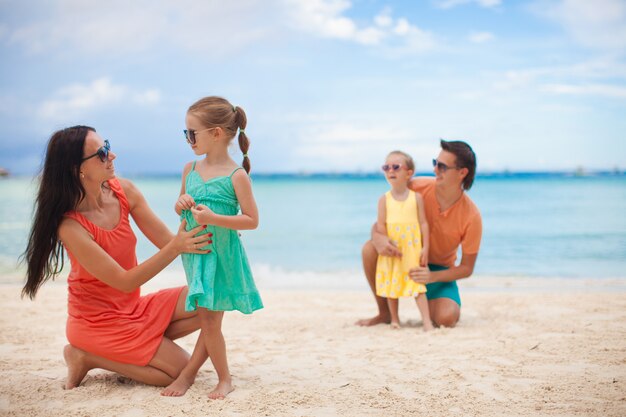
{"type": "Point", "coordinates": [59, 191]}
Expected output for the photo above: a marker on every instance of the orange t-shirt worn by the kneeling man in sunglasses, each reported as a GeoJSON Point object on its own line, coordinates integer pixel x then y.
{"type": "Point", "coordinates": [460, 224]}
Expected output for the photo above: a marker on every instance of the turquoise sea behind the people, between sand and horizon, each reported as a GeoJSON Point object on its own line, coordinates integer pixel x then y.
{"type": "Point", "coordinates": [535, 225]}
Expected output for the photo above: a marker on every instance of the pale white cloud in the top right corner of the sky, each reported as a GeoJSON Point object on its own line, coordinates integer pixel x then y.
{"type": "Point", "coordinates": [597, 24]}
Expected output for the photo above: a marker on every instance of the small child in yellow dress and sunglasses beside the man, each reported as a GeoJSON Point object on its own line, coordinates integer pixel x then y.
{"type": "Point", "coordinates": [401, 216]}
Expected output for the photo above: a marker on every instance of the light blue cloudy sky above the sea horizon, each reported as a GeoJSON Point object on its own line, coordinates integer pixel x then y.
{"type": "Point", "coordinates": [328, 85]}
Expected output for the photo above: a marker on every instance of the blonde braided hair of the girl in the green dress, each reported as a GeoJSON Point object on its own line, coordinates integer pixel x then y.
{"type": "Point", "coordinates": [218, 112]}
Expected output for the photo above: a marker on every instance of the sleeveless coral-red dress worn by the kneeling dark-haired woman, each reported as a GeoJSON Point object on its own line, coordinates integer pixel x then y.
{"type": "Point", "coordinates": [124, 327]}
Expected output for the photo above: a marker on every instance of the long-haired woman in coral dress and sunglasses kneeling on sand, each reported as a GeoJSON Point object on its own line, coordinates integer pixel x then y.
{"type": "Point", "coordinates": [81, 206]}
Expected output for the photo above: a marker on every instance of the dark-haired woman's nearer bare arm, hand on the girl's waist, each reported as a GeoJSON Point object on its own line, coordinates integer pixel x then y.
{"type": "Point", "coordinates": [102, 266]}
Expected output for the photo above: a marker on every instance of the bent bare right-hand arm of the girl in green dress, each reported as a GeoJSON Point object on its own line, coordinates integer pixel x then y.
{"type": "Point", "coordinates": [249, 217]}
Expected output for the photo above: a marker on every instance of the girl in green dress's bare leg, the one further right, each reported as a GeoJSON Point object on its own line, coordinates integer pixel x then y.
{"type": "Point", "coordinates": [211, 324]}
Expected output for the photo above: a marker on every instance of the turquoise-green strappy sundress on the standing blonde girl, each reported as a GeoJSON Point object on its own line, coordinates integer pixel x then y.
{"type": "Point", "coordinates": [220, 280]}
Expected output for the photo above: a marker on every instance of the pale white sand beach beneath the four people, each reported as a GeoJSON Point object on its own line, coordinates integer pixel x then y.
{"type": "Point", "coordinates": [523, 347]}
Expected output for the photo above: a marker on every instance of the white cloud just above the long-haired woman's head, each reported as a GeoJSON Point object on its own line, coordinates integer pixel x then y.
{"type": "Point", "coordinates": [77, 99]}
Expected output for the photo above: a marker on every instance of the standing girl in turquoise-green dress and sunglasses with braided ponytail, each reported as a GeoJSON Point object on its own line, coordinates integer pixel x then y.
{"type": "Point", "coordinates": [212, 193]}
